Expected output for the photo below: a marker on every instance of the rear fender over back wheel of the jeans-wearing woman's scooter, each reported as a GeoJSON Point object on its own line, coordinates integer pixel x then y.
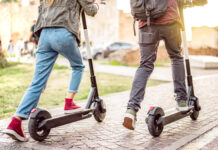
{"type": "Point", "coordinates": [37, 113]}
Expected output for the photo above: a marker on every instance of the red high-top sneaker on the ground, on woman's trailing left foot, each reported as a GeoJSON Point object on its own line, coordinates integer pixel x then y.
{"type": "Point", "coordinates": [14, 130]}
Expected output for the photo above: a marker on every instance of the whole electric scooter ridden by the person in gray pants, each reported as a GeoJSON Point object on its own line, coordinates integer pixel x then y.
{"type": "Point", "coordinates": [157, 119]}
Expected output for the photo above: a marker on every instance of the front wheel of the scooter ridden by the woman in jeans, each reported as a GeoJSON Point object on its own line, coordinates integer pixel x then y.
{"type": "Point", "coordinates": [100, 111]}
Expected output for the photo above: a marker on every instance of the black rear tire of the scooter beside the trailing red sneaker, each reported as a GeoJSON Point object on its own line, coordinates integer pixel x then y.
{"type": "Point", "coordinates": [36, 133]}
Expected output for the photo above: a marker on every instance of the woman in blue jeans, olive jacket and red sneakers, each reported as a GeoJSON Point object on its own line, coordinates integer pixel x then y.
{"type": "Point", "coordinates": [58, 29]}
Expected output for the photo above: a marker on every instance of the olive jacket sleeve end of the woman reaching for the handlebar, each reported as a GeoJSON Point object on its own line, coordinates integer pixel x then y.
{"type": "Point", "coordinates": [89, 6]}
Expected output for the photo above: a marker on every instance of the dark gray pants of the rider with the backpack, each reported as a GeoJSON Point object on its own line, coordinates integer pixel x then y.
{"type": "Point", "coordinates": [149, 38]}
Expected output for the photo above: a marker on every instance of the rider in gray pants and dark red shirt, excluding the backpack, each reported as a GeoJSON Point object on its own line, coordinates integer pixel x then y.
{"type": "Point", "coordinates": [166, 28]}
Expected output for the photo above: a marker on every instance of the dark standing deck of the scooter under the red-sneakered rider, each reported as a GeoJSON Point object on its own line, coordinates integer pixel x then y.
{"type": "Point", "coordinates": [63, 119]}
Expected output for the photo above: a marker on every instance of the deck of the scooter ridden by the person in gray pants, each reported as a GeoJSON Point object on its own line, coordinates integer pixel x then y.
{"type": "Point", "coordinates": [173, 115]}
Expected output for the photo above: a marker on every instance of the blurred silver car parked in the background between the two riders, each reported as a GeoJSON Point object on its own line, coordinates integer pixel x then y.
{"type": "Point", "coordinates": [101, 52]}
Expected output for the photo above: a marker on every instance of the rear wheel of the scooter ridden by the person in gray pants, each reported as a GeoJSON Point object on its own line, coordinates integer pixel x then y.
{"type": "Point", "coordinates": [154, 129]}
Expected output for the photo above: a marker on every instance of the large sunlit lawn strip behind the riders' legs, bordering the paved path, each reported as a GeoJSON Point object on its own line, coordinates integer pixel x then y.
{"type": "Point", "coordinates": [14, 81]}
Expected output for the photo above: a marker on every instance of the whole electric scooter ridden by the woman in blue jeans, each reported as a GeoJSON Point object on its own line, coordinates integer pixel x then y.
{"type": "Point", "coordinates": [41, 121]}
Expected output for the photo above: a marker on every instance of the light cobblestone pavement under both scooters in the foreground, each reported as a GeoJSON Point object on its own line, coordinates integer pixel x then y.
{"type": "Point", "coordinates": [88, 134]}
